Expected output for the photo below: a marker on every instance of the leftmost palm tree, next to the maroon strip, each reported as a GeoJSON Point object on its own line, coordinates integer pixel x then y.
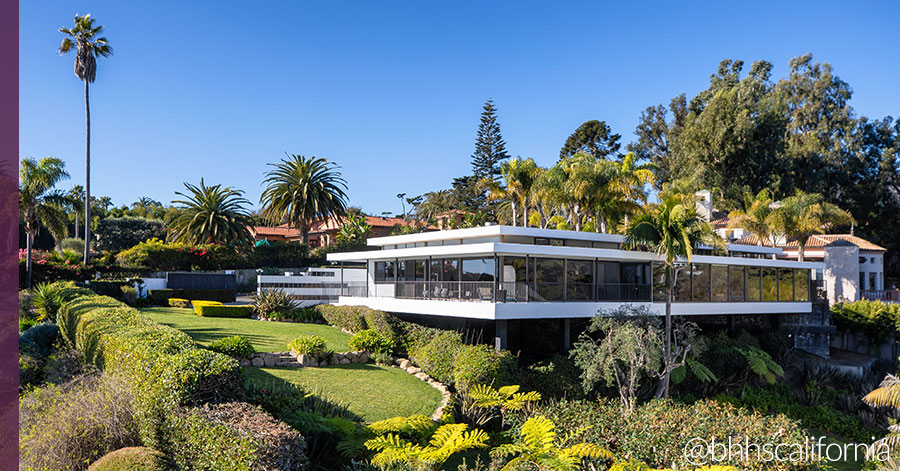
{"type": "Point", "coordinates": [39, 205]}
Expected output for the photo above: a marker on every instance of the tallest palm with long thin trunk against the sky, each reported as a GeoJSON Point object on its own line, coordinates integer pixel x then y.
{"type": "Point", "coordinates": [85, 39]}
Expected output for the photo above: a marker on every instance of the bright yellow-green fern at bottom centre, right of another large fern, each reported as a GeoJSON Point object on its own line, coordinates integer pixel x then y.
{"type": "Point", "coordinates": [536, 446]}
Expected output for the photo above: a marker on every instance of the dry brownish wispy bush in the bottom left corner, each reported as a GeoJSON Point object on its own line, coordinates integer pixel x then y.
{"type": "Point", "coordinates": [67, 427]}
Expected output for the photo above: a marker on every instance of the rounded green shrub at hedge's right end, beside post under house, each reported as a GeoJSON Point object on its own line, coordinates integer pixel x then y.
{"type": "Point", "coordinates": [481, 364]}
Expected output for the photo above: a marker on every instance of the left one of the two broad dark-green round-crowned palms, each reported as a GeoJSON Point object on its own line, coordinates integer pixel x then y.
{"type": "Point", "coordinates": [211, 215]}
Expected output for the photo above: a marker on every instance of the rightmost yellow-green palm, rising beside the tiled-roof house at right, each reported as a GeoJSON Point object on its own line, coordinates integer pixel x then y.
{"type": "Point", "coordinates": [803, 215]}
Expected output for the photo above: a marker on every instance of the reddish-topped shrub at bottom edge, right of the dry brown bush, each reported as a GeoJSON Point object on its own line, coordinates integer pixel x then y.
{"type": "Point", "coordinates": [234, 436]}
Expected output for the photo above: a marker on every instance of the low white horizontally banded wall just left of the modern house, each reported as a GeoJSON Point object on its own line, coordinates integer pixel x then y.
{"type": "Point", "coordinates": [313, 286]}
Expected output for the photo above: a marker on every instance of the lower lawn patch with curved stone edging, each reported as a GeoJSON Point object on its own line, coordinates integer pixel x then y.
{"type": "Point", "coordinates": [370, 391]}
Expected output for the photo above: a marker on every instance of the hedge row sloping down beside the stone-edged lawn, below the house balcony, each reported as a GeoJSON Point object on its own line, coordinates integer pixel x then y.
{"type": "Point", "coordinates": [440, 353]}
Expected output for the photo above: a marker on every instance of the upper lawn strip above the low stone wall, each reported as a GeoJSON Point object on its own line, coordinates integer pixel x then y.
{"type": "Point", "coordinates": [265, 336]}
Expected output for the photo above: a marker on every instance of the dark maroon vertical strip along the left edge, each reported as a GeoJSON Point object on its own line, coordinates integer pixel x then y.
{"type": "Point", "coordinates": [9, 237]}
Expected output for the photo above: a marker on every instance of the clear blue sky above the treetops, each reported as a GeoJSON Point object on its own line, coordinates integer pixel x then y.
{"type": "Point", "coordinates": [392, 91]}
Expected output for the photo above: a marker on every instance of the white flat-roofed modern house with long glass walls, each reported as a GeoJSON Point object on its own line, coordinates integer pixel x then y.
{"type": "Point", "coordinates": [505, 279]}
